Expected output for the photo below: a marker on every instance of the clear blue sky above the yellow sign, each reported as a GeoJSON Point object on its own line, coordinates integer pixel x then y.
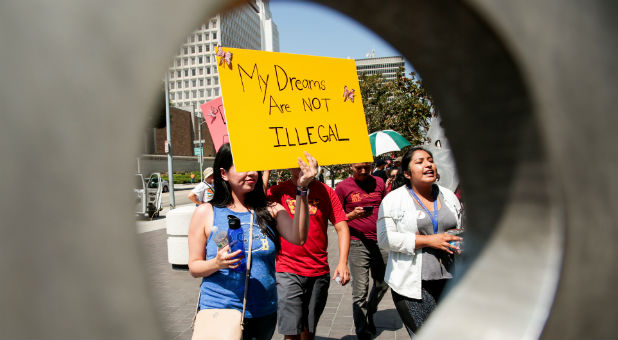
{"type": "Point", "coordinates": [312, 29]}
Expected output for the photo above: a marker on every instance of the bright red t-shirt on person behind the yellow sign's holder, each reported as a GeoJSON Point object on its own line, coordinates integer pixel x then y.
{"type": "Point", "coordinates": [310, 259]}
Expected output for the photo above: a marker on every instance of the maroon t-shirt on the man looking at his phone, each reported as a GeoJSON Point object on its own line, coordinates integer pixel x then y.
{"type": "Point", "coordinates": [354, 194]}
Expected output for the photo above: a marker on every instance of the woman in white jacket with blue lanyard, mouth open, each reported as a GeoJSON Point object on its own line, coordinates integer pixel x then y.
{"type": "Point", "coordinates": [412, 224]}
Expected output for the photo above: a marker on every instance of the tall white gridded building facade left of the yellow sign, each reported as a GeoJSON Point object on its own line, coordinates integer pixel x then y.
{"type": "Point", "coordinates": [193, 76]}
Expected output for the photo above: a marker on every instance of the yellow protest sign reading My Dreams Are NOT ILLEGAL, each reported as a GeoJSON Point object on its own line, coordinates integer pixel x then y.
{"type": "Point", "coordinates": [278, 105]}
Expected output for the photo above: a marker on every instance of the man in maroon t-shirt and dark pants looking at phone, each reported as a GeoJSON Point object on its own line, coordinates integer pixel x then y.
{"type": "Point", "coordinates": [361, 195]}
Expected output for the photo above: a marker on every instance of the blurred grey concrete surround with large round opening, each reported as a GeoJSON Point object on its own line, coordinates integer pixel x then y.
{"type": "Point", "coordinates": [527, 91]}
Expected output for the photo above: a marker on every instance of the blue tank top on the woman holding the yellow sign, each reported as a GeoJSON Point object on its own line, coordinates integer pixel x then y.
{"type": "Point", "coordinates": [225, 288]}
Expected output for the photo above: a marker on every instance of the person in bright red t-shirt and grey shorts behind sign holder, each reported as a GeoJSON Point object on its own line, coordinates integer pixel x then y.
{"type": "Point", "coordinates": [302, 272]}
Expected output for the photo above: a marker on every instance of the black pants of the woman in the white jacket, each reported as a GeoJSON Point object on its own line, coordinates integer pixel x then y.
{"type": "Point", "coordinates": [414, 312]}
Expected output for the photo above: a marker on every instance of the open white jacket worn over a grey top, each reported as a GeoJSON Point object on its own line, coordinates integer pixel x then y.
{"type": "Point", "coordinates": [397, 233]}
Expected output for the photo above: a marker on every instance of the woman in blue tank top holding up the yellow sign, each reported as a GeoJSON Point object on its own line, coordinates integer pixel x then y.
{"type": "Point", "coordinates": [241, 194]}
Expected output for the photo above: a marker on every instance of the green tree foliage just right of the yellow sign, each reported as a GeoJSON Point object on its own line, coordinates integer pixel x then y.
{"type": "Point", "coordinates": [402, 105]}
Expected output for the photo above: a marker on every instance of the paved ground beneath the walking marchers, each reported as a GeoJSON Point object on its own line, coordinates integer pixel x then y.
{"type": "Point", "coordinates": [175, 293]}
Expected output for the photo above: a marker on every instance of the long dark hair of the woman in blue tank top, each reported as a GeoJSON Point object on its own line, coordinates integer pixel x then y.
{"type": "Point", "coordinates": [256, 199]}
